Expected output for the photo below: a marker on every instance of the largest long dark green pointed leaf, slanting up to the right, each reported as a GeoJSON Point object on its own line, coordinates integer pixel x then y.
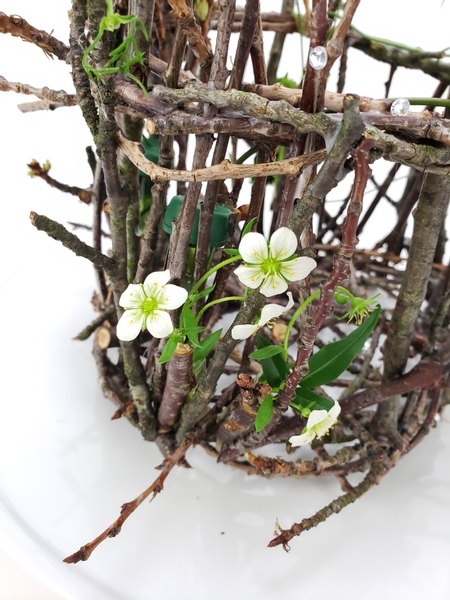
{"type": "Point", "coordinates": [334, 358]}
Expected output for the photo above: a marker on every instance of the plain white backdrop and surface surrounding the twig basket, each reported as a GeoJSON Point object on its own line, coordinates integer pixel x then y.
{"type": "Point", "coordinates": [65, 468]}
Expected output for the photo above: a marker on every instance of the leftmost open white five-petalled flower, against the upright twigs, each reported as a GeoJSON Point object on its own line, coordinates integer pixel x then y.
{"type": "Point", "coordinates": [147, 305]}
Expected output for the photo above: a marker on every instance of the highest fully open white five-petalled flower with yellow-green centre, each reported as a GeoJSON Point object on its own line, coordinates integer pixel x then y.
{"type": "Point", "coordinates": [270, 265]}
